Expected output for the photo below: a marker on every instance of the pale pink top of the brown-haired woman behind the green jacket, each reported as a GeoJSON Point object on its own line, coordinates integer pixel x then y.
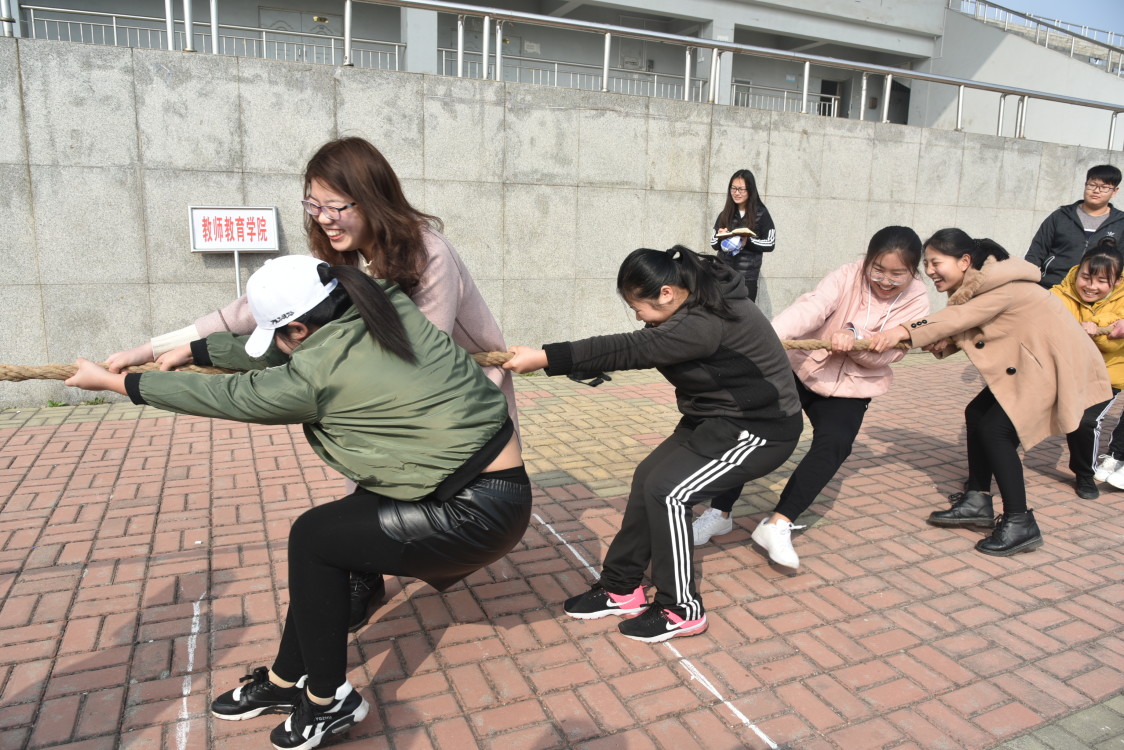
{"type": "Point", "coordinates": [448, 296]}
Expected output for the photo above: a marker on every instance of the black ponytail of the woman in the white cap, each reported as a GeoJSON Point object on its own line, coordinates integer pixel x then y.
{"type": "Point", "coordinates": [358, 290]}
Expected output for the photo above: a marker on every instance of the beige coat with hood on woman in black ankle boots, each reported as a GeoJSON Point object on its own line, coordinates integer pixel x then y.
{"type": "Point", "coordinates": [1041, 366]}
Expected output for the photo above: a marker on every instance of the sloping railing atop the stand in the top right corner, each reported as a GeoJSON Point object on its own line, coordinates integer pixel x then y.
{"type": "Point", "coordinates": [1078, 42]}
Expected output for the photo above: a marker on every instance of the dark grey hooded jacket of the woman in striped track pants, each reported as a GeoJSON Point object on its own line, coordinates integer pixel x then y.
{"type": "Point", "coordinates": [735, 369]}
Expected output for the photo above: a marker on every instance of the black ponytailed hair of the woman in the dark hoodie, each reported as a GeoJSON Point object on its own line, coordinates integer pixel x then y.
{"type": "Point", "coordinates": [646, 272]}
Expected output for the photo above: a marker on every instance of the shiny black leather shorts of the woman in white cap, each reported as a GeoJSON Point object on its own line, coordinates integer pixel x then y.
{"type": "Point", "coordinates": [448, 541]}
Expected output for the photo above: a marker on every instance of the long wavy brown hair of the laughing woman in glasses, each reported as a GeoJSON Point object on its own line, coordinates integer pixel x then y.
{"type": "Point", "coordinates": [357, 168]}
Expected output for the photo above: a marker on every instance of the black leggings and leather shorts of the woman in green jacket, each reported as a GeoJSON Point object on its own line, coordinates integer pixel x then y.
{"type": "Point", "coordinates": [479, 526]}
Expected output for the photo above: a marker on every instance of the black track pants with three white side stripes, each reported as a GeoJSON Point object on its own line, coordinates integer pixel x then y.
{"type": "Point", "coordinates": [690, 467]}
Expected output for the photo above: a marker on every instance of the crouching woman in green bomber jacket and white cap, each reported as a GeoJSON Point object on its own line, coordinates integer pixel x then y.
{"type": "Point", "coordinates": [393, 404]}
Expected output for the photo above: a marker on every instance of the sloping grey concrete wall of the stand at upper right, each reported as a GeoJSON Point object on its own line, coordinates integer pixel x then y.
{"type": "Point", "coordinates": [980, 52]}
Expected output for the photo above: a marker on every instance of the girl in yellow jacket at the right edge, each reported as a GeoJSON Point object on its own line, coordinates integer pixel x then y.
{"type": "Point", "coordinates": [1093, 293]}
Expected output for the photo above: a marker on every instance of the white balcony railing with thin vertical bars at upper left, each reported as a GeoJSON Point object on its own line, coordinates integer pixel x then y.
{"type": "Point", "coordinates": [125, 31]}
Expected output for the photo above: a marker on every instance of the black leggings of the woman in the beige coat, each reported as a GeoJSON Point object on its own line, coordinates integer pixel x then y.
{"type": "Point", "coordinates": [993, 451]}
